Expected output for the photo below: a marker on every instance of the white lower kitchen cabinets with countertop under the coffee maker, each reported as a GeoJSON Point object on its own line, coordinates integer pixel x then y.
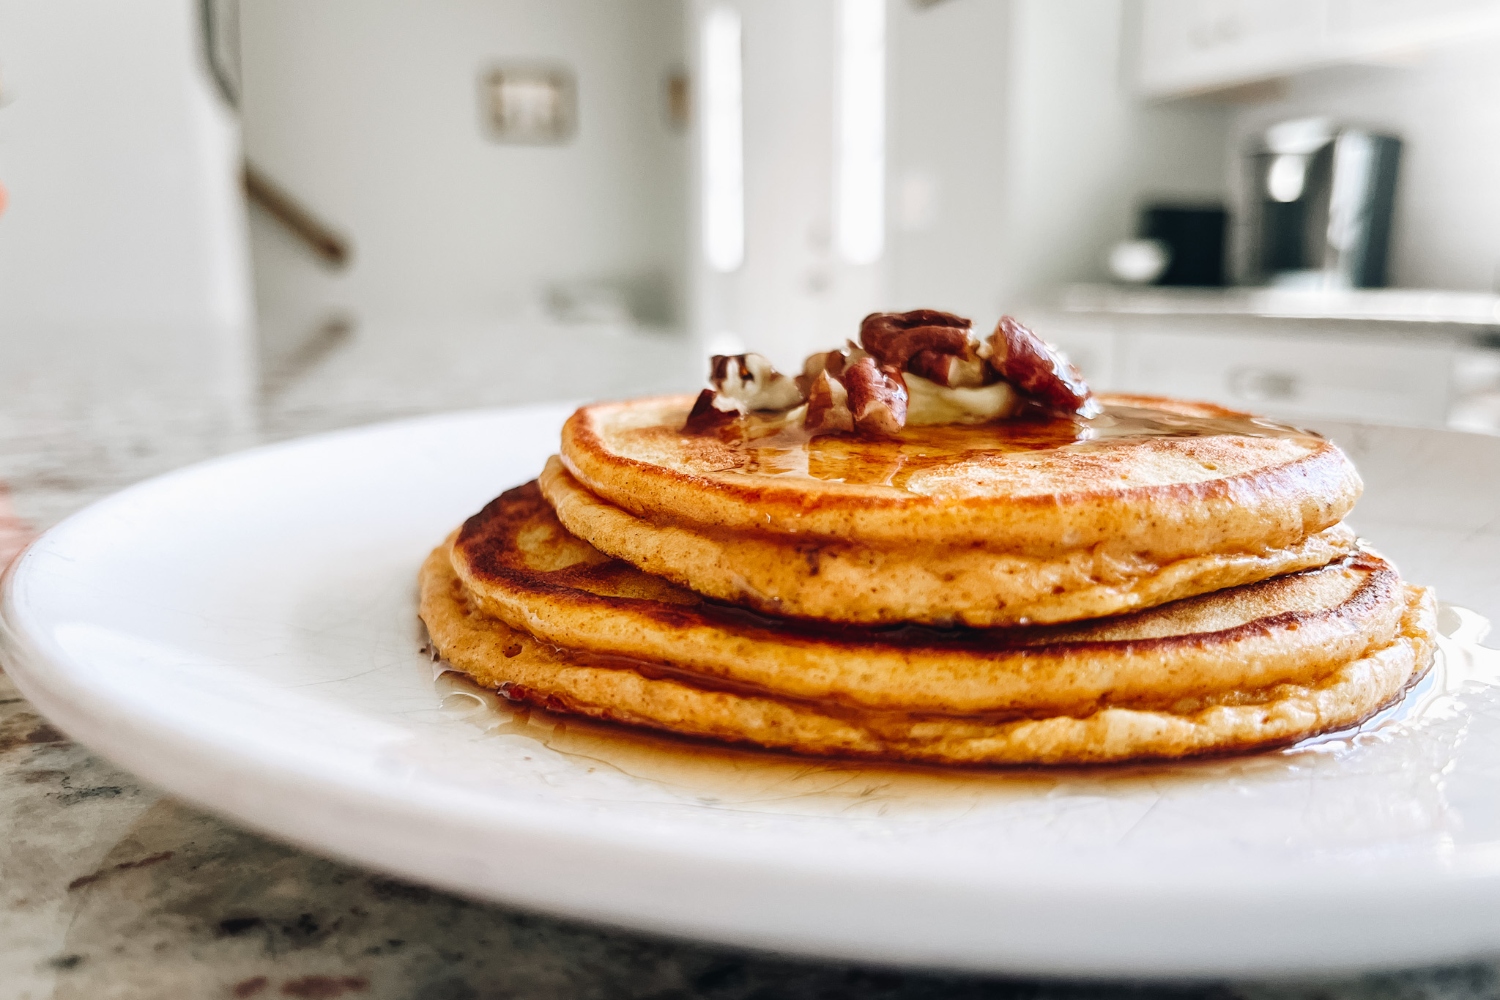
{"type": "Point", "coordinates": [1381, 356]}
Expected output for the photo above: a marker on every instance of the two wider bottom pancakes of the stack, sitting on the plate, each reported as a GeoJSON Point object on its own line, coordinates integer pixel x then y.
{"type": "Point", "coordinates": [523, 606]}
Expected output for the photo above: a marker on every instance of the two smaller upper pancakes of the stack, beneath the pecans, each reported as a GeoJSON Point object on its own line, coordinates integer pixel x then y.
{"type": "Point", "coordinates": [1013, 522]}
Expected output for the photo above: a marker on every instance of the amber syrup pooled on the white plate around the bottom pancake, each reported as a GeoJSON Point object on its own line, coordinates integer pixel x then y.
{"type": "Point", "coordinates": [1409, 734]}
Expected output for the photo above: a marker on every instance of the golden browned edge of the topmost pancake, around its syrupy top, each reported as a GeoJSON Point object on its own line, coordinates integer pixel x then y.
{"type": "Point", "coordinates": [1270, 507]}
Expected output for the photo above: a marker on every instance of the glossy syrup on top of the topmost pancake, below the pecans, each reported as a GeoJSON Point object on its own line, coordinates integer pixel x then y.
{"type": "Point", "coordinates": [770, 446]}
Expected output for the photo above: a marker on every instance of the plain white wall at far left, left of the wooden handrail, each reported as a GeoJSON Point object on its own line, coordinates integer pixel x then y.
{"type": "Point", "coordinates": [124, 173]}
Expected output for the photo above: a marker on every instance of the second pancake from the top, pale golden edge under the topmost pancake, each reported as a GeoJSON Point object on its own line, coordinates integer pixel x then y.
{"type": "Point", "coordinates": [971, 585]}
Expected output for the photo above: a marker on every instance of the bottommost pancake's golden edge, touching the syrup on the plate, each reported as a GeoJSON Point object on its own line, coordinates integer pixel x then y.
{"type": "Point", "coordinates": [526, 669]}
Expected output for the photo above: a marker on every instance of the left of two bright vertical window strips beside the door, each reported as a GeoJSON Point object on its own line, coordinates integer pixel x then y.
{"type": "Point", "coordinates": [724, 142]}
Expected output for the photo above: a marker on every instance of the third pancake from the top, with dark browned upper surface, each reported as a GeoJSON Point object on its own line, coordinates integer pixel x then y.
{"type": "Point", "coordinates": [902, 668]}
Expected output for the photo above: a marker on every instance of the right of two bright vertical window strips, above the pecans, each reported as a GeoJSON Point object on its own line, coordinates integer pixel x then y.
{"type": "Point", "coordinates": [860, 182]}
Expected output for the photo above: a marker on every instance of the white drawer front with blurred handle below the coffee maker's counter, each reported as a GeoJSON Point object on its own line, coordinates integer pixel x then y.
{"type": "Point", "coordinates": [1385, 382]}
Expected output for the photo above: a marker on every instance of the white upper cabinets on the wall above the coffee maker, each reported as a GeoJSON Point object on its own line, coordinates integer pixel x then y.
{"type": "Point", "coordinates": [1202, 46]}
